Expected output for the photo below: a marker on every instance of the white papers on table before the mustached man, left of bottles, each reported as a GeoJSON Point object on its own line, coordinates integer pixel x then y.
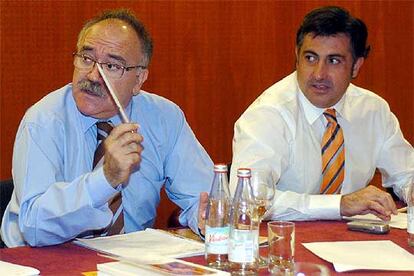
{"type": "Point", "coordinates": [147, 245]}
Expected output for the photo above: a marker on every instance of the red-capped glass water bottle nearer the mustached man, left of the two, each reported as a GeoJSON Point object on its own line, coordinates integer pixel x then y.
{"type": "Point", "coordinates": [217, 220]}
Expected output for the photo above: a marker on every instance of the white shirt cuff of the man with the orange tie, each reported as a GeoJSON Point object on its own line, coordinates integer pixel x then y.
{"type": "Point", "coordinates": [325, 206]}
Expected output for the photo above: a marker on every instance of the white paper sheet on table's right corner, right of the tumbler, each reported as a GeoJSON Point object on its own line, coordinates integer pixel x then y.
{"type": "Point", "coordinates": [356, 255]}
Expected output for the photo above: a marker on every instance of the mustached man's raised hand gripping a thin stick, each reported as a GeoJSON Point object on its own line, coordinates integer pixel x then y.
{"type": "Point", "coordinates": [122, 153]}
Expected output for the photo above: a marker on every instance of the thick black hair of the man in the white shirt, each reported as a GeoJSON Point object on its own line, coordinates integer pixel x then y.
{"type": "Point", "coordinates": [328, 21]}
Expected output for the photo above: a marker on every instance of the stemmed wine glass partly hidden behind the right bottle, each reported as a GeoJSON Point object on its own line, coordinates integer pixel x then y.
{"type": "Point", "coordinates": [263, 192]}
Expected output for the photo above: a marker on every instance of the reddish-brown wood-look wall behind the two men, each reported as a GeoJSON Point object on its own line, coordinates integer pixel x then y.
{"type": "Point", "coordinates": [211, 57]}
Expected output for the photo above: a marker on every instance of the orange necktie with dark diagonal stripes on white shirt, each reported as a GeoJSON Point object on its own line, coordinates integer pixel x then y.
{"type": "Point", "coordinates": [333, 155]}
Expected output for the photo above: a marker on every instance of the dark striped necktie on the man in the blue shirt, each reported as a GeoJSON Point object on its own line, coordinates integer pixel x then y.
{"type": "Point", "coordinates": [115, 203]}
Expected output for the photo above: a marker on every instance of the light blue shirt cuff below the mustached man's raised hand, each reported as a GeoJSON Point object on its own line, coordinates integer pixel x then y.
{"type": "Point", "coordinates": [99, 189]}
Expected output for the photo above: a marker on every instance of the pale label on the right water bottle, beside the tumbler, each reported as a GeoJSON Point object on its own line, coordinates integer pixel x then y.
{"type": "Point", "coordinates": [243, 246]}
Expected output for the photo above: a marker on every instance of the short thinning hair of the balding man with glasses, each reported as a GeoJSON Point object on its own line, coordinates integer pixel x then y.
{"type": "Point", "coordinates": [128, 17]}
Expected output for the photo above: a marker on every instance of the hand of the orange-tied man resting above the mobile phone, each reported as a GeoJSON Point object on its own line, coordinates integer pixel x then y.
{"type": "Point", "coordinates": [368, 200]}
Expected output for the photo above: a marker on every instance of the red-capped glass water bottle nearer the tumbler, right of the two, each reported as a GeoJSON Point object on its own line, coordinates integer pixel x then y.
{"type": "Point", "coordinates": [244, 229]}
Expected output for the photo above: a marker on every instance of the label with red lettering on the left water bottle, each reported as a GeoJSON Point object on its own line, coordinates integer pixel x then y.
{"type": "Point", "coordinates": [216, 239]}
